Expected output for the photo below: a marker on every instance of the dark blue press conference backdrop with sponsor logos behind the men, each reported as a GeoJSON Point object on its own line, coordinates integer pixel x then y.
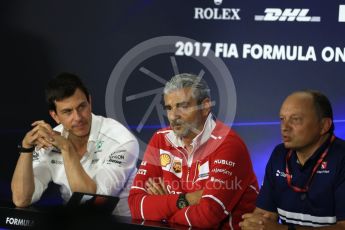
{"type": "Point", "coordinates": [252, 54]}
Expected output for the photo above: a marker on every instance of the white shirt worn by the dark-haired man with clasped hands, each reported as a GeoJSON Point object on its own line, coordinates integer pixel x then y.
{"type": "Point", "coordinates": [110, 160]}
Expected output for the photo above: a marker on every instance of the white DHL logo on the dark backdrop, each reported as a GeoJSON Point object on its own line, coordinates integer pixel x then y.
{"type": "Point", "coordinates": [287, 15]}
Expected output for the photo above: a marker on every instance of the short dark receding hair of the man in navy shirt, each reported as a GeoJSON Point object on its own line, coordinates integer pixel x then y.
{"type": "Point", "coordinates": [322, 106]}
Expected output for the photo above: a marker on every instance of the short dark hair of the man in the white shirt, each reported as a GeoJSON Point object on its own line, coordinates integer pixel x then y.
{"type": "Point", "coordinates": [62, 86]}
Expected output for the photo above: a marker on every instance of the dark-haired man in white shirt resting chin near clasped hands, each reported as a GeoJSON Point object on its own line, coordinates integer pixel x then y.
{"type": "Point", "coordinates": [84, 153]}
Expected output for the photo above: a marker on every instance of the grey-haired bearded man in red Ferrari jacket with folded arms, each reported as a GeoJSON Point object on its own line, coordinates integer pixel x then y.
{"type": "Point", "coordinates": [197, 172]}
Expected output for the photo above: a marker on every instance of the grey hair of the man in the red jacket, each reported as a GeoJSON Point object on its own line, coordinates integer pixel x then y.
{"type": "Point", "coordinates": [200, 89]}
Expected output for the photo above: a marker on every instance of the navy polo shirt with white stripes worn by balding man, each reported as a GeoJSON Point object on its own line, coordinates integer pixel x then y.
{"type": "Point", "coordinates": [323, 204]}
